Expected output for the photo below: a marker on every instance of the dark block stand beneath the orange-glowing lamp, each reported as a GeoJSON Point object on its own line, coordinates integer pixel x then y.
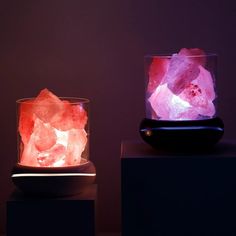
{"type": "Point", "coordinates": [37, 216]}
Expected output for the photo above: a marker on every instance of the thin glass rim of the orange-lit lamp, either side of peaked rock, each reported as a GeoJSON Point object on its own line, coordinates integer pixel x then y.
{"type": "Point", "coordinates": [72, 100]}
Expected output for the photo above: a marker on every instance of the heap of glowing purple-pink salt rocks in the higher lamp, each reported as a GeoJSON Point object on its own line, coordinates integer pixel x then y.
{"type": "Point", "coordinates": [184, 89]}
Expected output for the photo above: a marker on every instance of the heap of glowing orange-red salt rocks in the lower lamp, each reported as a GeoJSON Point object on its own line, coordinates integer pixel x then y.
{"type": "Point", "coordinates": [52, 131]}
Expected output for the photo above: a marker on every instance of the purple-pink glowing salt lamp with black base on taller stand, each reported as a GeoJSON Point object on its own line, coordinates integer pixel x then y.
{"type": "Point", "coordinates": [181, 101]}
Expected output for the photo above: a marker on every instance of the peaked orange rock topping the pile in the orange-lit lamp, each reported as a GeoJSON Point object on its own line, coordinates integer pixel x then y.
{"type": "Point", "coordinates": [47, 105]}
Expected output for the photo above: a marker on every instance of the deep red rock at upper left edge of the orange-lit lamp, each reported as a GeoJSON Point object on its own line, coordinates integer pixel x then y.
{"type": "Point", "coordinates": [26, 121]}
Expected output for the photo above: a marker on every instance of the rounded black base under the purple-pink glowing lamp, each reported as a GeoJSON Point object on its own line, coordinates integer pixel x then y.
{"type": "Point", "coordinates": [182, 135]}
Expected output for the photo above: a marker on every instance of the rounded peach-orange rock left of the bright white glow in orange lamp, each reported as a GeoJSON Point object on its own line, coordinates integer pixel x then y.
{"type": "Point", "coordinates": [45, 136]}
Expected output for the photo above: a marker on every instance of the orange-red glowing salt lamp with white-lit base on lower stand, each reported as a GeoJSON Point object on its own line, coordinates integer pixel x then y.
{"type": "Point", "coordinates": [53, 145]}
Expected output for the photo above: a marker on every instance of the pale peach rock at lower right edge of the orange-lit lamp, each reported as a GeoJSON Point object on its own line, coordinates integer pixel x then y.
{"type": "Point", "coordinates": [77, 139]}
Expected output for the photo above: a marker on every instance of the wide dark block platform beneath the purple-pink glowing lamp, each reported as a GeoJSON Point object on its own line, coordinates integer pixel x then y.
{"type": "Point", "coordinates": [187, 194]}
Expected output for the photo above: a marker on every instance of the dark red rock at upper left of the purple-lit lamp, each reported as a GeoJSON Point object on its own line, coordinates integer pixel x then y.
{"type": "Point", "coordinates": [156, 73]}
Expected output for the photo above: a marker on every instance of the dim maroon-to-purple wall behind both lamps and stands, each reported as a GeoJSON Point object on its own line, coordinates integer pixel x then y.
{"type": "Point", "coordinates": [95, 50]}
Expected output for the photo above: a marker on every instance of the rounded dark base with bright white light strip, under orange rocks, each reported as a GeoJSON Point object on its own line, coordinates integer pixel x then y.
{"type": "Point", "coordinates": [53, 181]}
